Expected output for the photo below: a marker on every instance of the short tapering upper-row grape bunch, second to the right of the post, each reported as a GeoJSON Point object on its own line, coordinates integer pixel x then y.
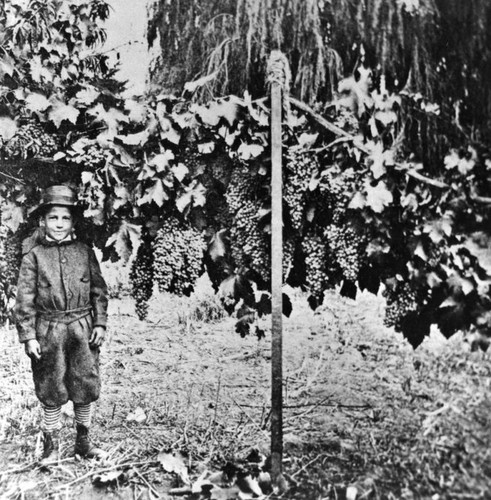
{"type": "Point", "coordinates": [338, 188]}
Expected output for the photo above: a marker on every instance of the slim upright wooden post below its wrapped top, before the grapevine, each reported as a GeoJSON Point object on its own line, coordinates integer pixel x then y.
{"type": "Point", "coordinates": [276, 285]}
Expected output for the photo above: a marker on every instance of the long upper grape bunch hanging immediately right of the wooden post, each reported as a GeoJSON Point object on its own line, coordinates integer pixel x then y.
{"type": "Point", "coordinates": [299, 168]}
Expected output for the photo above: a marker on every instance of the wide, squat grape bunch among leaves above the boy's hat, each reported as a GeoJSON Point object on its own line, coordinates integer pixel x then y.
{"type": "Point", "coordinates": [29, 141]}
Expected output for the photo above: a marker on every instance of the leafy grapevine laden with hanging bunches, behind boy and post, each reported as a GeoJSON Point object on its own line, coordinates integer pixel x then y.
{"type": "Point", "coordinates": [185, 187]}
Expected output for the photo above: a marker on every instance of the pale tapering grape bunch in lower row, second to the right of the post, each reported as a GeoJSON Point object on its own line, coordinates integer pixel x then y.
{"type": "Point", "coordinates": [346, 248]}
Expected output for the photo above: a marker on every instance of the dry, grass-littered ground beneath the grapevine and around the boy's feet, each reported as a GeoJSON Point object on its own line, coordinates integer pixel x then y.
{"type": "Point", "coordinates": [365, 416]}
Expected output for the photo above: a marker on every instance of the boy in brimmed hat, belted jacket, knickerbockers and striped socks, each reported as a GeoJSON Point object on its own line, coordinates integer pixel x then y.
{"type": "Point", "coordinates": [61, 312]}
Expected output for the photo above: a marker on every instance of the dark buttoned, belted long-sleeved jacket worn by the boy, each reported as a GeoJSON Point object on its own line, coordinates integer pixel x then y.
{"type": "Point", "coordinates": [58, 277]}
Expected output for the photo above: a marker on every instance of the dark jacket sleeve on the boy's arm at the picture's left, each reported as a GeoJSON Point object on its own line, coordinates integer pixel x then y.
{"type": "Point", "coordinates": [25, 309]}
